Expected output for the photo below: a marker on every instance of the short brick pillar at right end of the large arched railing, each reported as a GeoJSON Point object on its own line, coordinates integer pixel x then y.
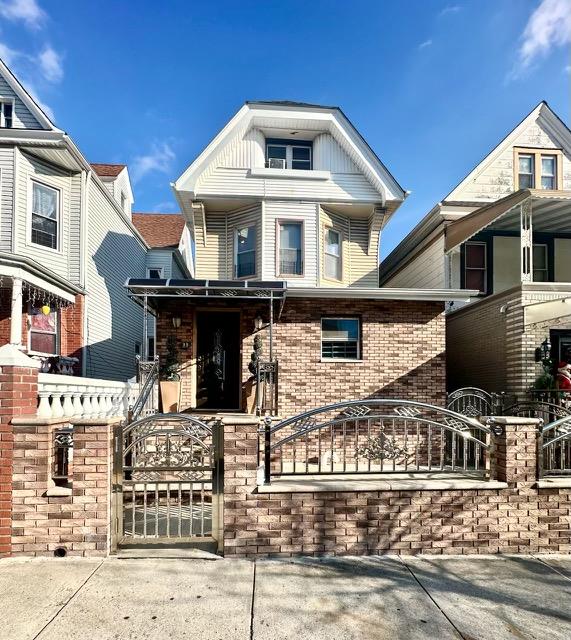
{"type": "Point", "coordinates": [514, 455]}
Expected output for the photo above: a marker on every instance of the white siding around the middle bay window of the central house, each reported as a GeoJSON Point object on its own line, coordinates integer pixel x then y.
{"type": "Point", "coordinates": [306, 212]}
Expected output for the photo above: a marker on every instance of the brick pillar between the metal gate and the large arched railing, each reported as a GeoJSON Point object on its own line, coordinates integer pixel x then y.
{"type": "Point", "coordinates": [240, 469]}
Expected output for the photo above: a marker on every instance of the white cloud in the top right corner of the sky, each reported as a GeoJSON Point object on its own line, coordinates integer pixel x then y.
{"type": "Point", "coordinates": [549, 26]}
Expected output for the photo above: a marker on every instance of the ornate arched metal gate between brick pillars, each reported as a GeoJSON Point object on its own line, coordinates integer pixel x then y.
{"type": "Point", "coordinates": [168, 482]}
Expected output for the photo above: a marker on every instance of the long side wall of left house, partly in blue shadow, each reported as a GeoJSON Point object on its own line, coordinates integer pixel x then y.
{"type": "Point", "coordinates": [114, 321]}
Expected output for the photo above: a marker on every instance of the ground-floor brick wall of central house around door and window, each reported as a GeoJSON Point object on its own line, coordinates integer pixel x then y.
{"type": "Point", "coordinates": [403, 346]}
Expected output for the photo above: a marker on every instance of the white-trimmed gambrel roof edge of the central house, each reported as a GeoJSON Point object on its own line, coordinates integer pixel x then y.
{"type": "Point", "coordinates": [332, 118]}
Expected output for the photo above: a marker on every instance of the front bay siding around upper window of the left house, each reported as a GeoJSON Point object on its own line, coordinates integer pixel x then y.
{"type": "Point", "coordinates": [29, 168]}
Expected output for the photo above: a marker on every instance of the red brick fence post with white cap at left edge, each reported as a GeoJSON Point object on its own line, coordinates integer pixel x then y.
{"type": "Point", "coordinates": [18, 397]}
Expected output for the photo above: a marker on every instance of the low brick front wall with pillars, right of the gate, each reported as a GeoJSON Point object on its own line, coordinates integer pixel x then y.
{"type": "Point", "coordinates": [518, 519]}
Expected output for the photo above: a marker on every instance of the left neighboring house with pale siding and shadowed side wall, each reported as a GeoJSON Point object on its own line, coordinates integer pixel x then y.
{"type": "Point", "coordinates": [67, 245]}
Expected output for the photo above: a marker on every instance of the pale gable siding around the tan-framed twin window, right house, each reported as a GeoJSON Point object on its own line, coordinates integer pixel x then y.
{"type": "Point", "coordinates": [495, 179]}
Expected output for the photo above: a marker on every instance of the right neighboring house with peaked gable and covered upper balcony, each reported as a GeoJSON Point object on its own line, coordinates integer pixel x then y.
{"type": "Point", "coordinates": [505, 231]}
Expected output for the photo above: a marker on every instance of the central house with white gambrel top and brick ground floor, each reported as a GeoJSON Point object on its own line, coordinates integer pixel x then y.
{"type": "Point", "coordinates": [285, 207]}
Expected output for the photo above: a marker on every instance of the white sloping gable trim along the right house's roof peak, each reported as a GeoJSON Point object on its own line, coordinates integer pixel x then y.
{"type": "Point", "coordinates": [549, 122]}
